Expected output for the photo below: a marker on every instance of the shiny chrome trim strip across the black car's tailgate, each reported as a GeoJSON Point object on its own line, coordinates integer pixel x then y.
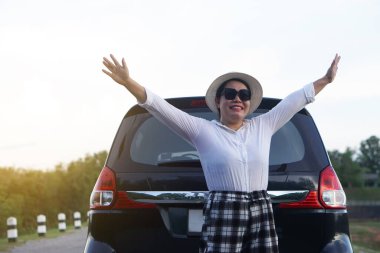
{"type": "Point", "coordinates": [193, 197]}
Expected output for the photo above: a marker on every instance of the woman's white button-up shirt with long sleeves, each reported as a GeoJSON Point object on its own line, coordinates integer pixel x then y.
{"type": "Point", "coordinates": [231, 160]}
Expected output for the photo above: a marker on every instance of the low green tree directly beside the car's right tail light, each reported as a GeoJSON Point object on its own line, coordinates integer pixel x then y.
{"type": "Point", "coordinates": [349, 171]}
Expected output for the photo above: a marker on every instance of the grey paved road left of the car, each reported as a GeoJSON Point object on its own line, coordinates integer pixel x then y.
{"type": "Point", "coordinates": [72, 242]}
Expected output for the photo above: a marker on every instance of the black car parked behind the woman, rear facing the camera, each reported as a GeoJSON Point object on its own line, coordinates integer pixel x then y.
{"type": "Point", "coordinates": [150, 194]}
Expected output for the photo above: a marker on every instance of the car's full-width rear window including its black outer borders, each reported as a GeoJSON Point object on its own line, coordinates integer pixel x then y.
{"type": "Point", "coordinates": [142, 141]}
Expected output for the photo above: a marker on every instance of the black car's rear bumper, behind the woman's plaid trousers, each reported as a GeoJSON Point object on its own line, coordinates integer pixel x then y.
{"type": "Point", "coordinates": [143, 230]}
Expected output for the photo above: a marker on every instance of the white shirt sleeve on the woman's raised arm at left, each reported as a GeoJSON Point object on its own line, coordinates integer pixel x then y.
{"type": "Point", "coordinates": [180, 122]}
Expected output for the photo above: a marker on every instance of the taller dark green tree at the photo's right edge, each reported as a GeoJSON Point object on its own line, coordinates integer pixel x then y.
{"type": "Point", "coordinates": [369, 156]}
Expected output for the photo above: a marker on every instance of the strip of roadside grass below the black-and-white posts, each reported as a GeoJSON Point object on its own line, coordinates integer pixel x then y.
{"type": "Point", "coordinates": [6, 246]}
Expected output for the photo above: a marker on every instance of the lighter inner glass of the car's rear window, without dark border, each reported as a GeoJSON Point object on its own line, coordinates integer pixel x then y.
{"type": "Point", "coordinates": [153, 144]}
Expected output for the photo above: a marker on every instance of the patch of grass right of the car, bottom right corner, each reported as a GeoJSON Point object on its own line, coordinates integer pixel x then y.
{"type": "Point", "coordinates": [365, 235]}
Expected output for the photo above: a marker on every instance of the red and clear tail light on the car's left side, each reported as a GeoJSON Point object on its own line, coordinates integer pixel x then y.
{"type": "Point", "coordinates": [105, 196]}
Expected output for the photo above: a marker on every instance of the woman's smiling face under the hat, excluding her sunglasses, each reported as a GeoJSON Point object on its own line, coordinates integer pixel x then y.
{"type": "Point", "coordinates": [233, 112]}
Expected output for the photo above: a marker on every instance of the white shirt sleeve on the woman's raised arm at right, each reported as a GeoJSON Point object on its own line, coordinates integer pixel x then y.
{"type": "Point", "coordinates": [289, 106]}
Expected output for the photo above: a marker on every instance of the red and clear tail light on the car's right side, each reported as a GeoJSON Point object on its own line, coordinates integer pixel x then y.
{"type": "Point", "coordinates": [329, 196]}
